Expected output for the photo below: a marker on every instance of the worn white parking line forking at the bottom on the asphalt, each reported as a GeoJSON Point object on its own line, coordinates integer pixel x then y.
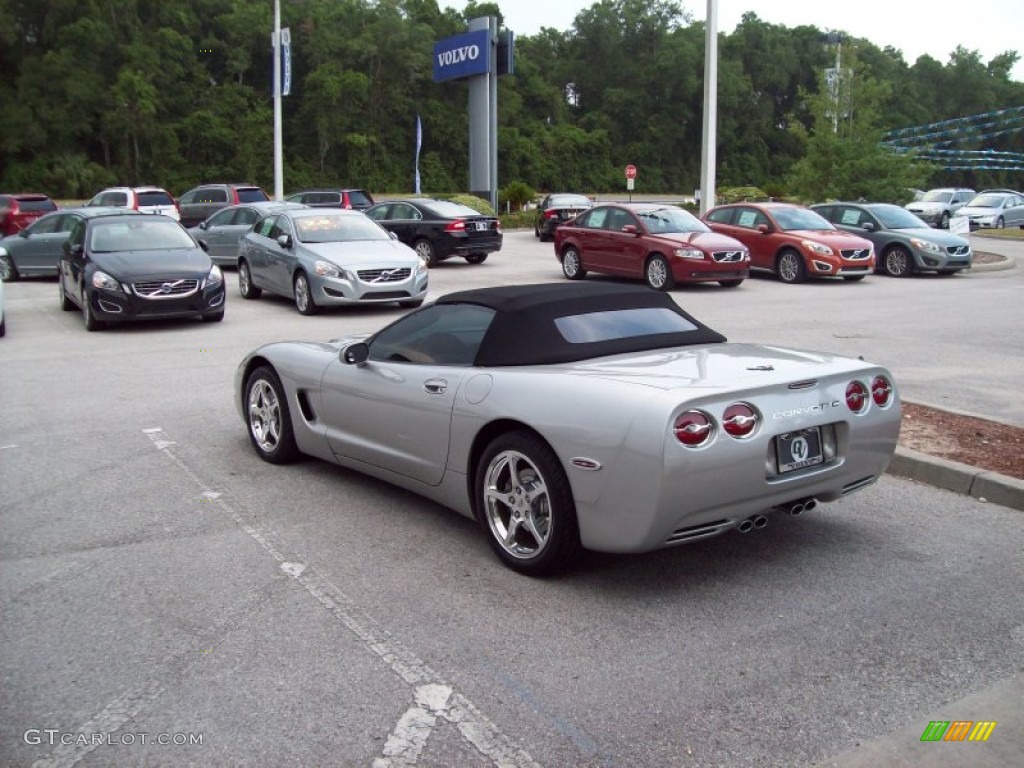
{"type": "Point", "coordinates": [434, 697]}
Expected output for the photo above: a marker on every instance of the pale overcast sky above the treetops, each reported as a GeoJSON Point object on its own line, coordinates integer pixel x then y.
{"type": "Point", "coordinates": [915, 27]}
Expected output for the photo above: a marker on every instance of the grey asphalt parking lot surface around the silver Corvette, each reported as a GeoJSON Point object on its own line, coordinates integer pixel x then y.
{"type": "Point", "coordinates": [157, 580]}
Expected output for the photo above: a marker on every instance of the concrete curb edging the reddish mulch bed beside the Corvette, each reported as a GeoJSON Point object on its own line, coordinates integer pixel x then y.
{"type": "Point", "coordinates": [961, 479]}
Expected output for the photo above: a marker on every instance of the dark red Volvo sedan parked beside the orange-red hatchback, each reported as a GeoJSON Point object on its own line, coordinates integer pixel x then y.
{"type": "Point", "coordinates": [659, 243]}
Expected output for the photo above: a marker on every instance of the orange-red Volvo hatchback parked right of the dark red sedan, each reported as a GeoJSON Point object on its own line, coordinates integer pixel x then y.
{"type": "Point", "coordinates": [794, 242]}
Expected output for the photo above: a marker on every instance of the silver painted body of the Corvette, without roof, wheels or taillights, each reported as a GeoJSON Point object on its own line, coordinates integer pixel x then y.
{"type": "Point", "coordinates": [388, 420]}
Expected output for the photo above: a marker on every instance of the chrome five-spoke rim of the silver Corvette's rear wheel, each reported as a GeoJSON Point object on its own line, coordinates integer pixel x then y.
{"type": "Point", "coordinates": [518, 505]}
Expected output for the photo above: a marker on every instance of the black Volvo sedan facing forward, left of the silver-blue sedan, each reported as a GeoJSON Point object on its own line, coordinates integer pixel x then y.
{"type": "Point", "coordinates": [134, 267]}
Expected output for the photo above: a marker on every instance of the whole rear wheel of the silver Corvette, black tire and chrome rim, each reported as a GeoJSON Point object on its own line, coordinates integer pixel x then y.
{"type": "Point", "coordinates": [522, 493]}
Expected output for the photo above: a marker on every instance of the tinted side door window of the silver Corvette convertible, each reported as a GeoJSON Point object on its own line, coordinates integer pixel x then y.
{"type": "Point", "coordinates": [441, 335]}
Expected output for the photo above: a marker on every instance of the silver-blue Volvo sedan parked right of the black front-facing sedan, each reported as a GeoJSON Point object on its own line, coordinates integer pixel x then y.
{"type": "Point", "coordinates": [327, 258]}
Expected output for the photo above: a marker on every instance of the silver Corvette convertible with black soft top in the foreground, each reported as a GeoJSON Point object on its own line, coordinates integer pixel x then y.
{"type": "Point", "coordinates": [583, 416]}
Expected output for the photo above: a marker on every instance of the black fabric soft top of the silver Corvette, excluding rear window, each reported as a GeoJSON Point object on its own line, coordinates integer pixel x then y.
{"type": "Point", "coordinates": [524, 331]}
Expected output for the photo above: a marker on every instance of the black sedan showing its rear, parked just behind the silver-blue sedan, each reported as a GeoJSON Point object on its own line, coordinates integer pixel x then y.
{"type": "Point", "coordinates": [439, 230]}
